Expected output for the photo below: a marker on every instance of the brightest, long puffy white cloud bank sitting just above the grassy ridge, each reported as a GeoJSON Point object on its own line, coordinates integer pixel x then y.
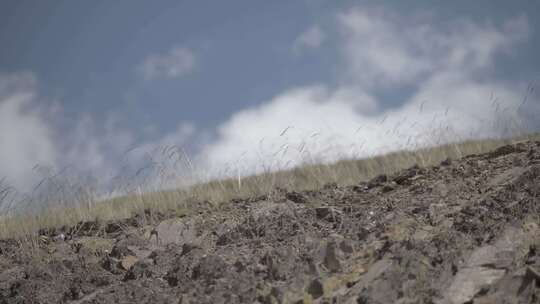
{"type": "Point", "coordinates": [317, 124]}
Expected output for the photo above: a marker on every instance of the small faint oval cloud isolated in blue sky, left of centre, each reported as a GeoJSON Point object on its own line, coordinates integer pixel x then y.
{"type": "Point", "coordinates": [178, 62]}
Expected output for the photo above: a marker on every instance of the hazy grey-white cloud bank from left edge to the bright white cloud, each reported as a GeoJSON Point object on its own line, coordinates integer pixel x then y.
{"type": "Point", "coordinates": [43, 149]}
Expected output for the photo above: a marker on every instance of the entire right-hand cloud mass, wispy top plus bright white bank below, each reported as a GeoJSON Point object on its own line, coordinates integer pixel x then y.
{"type": "Point", "coordinates": [454, 97]}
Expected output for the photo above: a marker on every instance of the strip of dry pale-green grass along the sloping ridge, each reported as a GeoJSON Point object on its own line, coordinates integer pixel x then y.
{"type": "Point", "coordinates": [216, 192]}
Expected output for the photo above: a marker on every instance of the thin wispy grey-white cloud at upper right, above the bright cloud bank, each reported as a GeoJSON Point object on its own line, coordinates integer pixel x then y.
{"type": "Point", "coordinates": [386, 49]}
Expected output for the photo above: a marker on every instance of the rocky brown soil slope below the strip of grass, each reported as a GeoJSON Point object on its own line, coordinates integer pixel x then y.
{"type": "Point", "coordinates": [466, 231]}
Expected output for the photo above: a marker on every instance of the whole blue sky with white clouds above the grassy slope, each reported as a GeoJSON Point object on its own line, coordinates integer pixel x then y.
{"type": "Point", "coordinates": [103, 90]}
